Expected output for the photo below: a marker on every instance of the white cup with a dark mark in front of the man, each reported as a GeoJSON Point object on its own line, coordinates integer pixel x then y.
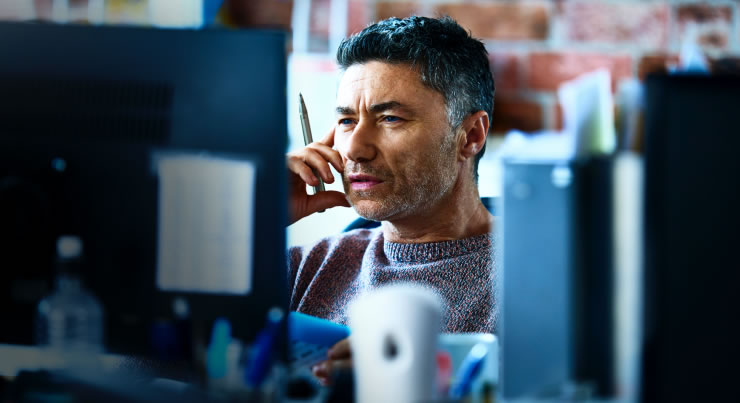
{"type": "Point", "coordinates": [394, 341]}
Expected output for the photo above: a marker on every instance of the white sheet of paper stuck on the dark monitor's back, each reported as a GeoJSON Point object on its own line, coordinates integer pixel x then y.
{"type": "Point", "coordinates": [205, 224]}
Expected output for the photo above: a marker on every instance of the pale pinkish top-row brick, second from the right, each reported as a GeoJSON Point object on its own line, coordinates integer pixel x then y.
{"type": "Point", "coordinates": [639, 23]}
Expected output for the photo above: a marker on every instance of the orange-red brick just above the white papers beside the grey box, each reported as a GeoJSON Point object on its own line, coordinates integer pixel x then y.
{"type": "Point", "coordinates": [547, 70]}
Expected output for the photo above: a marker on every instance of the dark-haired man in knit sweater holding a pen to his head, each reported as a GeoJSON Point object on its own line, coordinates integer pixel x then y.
{"type": "Point", "coordinates": [412, 116]}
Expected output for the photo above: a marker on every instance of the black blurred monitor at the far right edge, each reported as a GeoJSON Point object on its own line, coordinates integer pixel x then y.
{"type": "Point", "coordinates": [691, 341]}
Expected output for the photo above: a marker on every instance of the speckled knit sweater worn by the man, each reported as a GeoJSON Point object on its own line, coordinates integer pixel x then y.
{"type": "Point", "coordinates": [328, 275]}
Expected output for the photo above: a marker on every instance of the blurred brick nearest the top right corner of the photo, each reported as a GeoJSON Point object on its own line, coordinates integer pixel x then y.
{"type": "Point", "coordinates": [713, 24]}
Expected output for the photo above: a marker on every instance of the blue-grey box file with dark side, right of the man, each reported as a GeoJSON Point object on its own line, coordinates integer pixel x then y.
{"type": "Point", "coordinates": [556, 291]}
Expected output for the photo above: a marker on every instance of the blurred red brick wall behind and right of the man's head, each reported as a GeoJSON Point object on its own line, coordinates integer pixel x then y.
{"type": "Point", "coordinates": [535, 45]}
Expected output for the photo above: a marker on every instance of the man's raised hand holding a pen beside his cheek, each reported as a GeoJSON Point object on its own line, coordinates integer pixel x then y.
{"type": "Point", "coordinates": [302, 164]}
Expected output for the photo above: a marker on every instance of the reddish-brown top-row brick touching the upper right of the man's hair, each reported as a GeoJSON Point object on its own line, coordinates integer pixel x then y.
{"type": "Point", "coordinates": [506, 21]}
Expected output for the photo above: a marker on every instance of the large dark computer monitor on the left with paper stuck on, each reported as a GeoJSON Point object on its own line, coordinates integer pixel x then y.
{"type": "Point", "coordinates": [164, 151]}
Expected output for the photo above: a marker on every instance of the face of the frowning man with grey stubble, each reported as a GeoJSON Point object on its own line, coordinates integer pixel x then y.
{"type": "Point", "coordinates": [399, 152]}
